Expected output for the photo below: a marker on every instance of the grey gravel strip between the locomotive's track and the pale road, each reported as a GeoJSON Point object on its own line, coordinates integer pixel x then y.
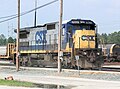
{"type": "Point", "coordinates": [98, 75]}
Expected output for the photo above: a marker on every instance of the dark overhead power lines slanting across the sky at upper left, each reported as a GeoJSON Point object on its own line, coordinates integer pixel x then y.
{"type": "Point", "coordinates": [24, 13]}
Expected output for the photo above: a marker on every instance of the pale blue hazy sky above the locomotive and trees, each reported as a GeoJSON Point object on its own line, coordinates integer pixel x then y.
{"type": "Point", "coordinates": [105, 13]}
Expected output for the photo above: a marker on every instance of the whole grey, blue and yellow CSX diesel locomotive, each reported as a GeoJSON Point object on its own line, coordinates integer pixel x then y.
{"type": "Point", "coordinates": [39, 45]}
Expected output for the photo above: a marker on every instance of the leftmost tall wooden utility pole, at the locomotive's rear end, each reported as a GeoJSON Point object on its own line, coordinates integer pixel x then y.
{"type": "Point", "coordinates": [17, 42]}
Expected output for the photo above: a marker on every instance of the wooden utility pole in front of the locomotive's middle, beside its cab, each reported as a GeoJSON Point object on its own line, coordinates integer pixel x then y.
{"type": "Point", "coordinates": [59, 36]}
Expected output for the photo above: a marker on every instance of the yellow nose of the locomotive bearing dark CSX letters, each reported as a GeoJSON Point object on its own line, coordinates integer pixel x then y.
{"type": "Point", "coordinates": [84, 39]}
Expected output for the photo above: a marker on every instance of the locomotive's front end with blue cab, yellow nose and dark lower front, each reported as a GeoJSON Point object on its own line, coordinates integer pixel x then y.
{"type": "Point", "coordinates": [82, 38]}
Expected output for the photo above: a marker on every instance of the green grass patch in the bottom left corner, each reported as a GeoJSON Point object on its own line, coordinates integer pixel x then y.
{"type": "Point", "coordinates": [16, 83]}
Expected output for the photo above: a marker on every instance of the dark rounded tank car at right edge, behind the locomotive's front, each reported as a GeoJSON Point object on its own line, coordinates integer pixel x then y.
{"type": "Point", "coordinates": [111, 53]}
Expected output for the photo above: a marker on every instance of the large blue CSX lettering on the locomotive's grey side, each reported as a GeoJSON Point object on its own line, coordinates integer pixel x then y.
{"type": "Point", "coordinates": [40, 37]}
